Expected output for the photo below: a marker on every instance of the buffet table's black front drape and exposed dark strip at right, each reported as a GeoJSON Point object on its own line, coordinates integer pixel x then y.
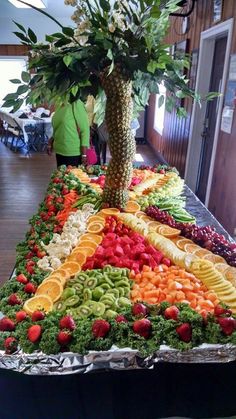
{"type": "Point", "coordinates": [196, 390]}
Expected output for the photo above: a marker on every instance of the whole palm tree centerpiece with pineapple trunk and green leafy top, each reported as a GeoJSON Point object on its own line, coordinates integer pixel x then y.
{"type": "Point", "coordinates": [117, 48]}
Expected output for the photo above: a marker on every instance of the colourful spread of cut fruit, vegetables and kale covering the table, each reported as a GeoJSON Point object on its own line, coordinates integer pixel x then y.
{"type": "Point", "coordinates": [89, 277]}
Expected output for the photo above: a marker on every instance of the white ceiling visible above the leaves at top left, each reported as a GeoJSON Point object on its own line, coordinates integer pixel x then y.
{"type": "Point", "coordinates": [56, 8]}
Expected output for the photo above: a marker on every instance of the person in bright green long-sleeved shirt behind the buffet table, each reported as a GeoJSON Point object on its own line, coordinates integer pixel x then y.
{"type": "Point", "coordinates": [71, 134]}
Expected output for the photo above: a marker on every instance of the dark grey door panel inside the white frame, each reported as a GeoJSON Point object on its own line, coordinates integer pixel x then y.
{"type": "Point", "coordinates": [208, 132]}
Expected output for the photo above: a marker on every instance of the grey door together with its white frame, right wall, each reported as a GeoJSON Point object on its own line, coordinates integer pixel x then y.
{"type": "Point", "coordinates": [196, 167]}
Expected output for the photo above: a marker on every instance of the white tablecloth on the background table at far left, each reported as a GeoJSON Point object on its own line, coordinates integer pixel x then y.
{"type": "Point", "coordinates": [14, 120]}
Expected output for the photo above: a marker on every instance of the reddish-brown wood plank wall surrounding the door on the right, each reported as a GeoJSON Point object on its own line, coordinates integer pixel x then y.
{"type": "Point", "coordinates": [173, 143]}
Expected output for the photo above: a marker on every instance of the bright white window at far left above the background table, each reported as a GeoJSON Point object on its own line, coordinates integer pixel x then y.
{"type": "Point", "coordinates": [10, 68]}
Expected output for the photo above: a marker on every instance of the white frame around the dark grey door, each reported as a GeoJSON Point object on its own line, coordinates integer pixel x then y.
{"type": "Point", "coordinates": [206, 54]}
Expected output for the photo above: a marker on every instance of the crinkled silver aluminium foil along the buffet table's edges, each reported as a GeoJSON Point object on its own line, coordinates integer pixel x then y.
{"type": "Point", "coordinates": [124, 359]}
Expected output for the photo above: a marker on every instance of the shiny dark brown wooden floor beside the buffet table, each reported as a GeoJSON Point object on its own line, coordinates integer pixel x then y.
{"type": "Point", "coordinates": [23, 181]}
